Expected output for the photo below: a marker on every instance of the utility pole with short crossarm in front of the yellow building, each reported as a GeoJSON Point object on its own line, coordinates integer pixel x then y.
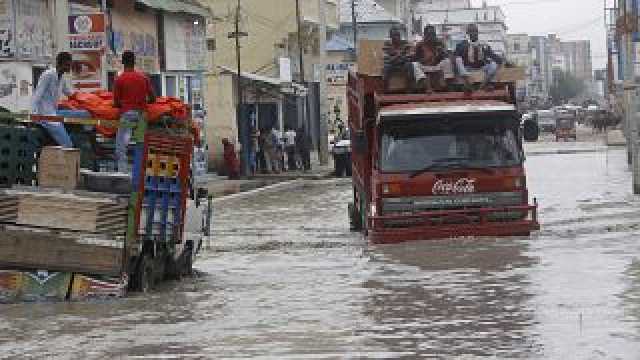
{"type": "Point", "coordinates": [243, 127]}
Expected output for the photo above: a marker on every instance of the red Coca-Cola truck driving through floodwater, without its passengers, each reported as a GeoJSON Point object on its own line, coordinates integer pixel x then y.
{"type": "Point", "coordinates": [442, 165]}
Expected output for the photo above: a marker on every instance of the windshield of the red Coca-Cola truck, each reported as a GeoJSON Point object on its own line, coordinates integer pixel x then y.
{"type": "Point", "coordinates": [409, 146]}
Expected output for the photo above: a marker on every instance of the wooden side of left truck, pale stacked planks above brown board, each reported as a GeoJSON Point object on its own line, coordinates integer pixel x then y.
{"type": "Point", "coordinates": [58, 231]}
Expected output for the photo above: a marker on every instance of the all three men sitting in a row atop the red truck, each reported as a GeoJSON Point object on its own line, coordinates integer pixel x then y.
{"type": "Point", "coordinates": [430, 65]}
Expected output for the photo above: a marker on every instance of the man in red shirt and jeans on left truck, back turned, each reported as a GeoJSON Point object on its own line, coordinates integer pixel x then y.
{"type": "Point", "coordinates": [131, 93]}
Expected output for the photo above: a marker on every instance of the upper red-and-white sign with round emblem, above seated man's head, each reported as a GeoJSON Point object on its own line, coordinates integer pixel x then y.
{"type": "Point", "coordinates": [87, 32]}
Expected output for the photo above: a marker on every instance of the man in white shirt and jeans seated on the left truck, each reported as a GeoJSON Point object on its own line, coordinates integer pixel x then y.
{"type": "Point", "coordinates": [51, 86]}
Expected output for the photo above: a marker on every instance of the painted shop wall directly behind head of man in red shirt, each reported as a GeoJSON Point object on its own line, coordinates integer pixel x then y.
{"type": "Point", "coordinates": [137, 31]}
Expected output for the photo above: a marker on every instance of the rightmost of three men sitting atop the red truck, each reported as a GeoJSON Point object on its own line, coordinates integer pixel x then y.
{"type": "Point", "coordinates": [472, 54]}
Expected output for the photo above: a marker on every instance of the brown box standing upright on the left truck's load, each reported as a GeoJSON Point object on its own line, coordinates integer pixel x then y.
{"type": "Point", "coordinates": [59, 167]}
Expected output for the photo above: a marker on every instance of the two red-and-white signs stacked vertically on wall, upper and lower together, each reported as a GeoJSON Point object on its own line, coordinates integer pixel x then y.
{"type": "Point", "coordinates": [87, 41]}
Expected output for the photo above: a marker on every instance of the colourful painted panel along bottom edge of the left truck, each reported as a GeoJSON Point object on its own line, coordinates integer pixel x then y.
{"type": "Point", "coordinates": [20, 286]}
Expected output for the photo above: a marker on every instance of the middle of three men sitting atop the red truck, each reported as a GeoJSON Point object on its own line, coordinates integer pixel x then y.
{"type": "Point", "coordinates": [432, 60]}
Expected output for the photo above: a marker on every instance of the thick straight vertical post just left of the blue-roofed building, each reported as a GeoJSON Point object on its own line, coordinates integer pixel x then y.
{"type": "Point", "coordinates": [323, 142]}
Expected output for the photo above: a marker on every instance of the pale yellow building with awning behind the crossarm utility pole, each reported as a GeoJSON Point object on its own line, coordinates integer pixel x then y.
{"type": "Point", "coordinates": [271, 74]}
